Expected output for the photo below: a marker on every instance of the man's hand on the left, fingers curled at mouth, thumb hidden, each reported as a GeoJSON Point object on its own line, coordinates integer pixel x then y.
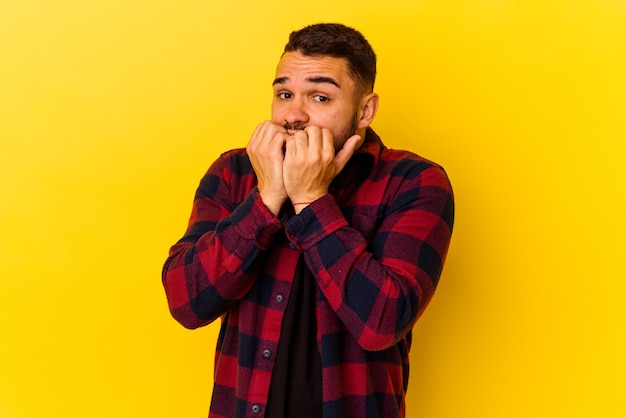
{"type": "Point", "coordinates": [265, 150]}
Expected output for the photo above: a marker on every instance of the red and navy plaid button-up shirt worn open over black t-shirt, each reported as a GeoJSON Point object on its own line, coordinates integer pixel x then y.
{"type": "Point", "coordinates": [376, 244]}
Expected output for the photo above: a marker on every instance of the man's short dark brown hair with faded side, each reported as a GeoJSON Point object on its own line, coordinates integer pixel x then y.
{"type": "Point", "coordinates": [339, 41]}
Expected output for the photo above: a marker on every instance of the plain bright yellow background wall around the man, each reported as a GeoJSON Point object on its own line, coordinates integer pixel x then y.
{"type": "Point", "coordinates": [111, 111]}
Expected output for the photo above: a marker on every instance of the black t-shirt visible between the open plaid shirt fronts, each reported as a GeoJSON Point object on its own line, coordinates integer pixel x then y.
{"type": "Point", "coordinates": [296, 387]}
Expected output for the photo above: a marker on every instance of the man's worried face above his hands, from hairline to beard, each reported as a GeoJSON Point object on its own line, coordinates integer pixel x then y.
{"type": "Point", "coordinates": [315, 90]}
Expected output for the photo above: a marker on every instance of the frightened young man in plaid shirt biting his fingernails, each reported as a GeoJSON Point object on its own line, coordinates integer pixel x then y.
{"type": "Point", "coordinates": [316, 245]}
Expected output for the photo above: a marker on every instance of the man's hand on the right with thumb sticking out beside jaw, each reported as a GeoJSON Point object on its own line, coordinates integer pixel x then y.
{"type": "Point", "coordinates": [310, 163]}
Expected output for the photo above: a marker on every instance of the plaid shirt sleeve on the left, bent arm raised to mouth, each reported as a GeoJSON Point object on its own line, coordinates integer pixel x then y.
{"type": "Point", "coordinates": [215, 263]}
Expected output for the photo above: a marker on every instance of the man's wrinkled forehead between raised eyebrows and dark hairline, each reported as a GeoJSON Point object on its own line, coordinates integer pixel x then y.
{"type": "Point", "coordinates": [295, 67]}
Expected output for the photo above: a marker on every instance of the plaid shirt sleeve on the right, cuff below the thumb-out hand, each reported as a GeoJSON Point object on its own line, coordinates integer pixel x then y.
{"type": "Point", "coordinates": [379, 285]}
